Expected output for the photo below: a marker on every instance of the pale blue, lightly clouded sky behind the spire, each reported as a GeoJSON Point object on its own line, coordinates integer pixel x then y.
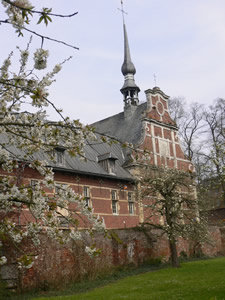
{"type": "Point", "coordinates": [182, 42]}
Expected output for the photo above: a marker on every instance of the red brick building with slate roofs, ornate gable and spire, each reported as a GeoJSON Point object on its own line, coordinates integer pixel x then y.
{"type": "Point", "coordinates": [107, 178]}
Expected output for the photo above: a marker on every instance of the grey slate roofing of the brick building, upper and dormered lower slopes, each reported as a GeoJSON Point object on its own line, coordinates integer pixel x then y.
{"type": "Point", "coordinates": [117, 126]}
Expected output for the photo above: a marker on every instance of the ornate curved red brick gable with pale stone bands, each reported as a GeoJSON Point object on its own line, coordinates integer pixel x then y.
{"type": "Point", "coordinates": [164, 142]}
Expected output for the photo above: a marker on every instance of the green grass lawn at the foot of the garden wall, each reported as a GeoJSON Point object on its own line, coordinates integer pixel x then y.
{"type": "Point", "coordinates": [203, 280]}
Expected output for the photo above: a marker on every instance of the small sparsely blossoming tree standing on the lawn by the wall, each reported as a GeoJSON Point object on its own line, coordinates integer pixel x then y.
{"type": "Point", "coordinates": [170, 205]}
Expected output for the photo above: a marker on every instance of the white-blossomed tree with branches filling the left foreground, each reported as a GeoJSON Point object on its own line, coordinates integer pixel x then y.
{"type": "Point", "coordinates": [26, 136]}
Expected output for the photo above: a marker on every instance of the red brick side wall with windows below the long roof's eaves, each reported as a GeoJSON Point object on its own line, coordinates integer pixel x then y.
{"type": "Point", "coordinates": [100, 196]}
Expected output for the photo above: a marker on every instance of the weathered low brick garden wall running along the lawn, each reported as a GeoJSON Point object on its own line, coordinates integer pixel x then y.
{"type": "Point", "coordinates": [57, 265]}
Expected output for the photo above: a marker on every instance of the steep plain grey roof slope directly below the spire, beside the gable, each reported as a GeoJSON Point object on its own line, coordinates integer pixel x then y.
{"type": "Point", "coordinates": [122, 128]}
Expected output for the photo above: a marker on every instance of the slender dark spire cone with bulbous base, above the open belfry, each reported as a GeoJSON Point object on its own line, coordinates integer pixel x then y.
{"type": "Point", "coordinates": [128, 66]}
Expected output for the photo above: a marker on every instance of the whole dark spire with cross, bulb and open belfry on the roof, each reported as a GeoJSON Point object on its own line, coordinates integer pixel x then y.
{"type": "Point", "coordinates": [129, 90]}
